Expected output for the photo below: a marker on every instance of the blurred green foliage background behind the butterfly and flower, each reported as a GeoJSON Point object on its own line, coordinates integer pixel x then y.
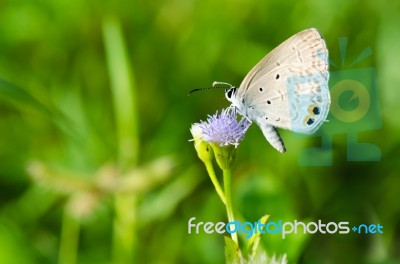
{"type": "Point", "coordinates": [95, 162]}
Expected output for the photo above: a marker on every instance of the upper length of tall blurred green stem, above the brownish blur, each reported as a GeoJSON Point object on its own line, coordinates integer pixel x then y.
{"type": "Point", "coordinates": [123, 92]}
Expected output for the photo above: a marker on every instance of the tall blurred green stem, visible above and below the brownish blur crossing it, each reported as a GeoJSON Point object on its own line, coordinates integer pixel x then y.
{"type": "Point", "coordinates": [125, 109]}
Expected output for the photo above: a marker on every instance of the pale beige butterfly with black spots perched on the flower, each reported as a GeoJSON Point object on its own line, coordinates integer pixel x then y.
{"type": "Point", "coordinates": [287, 89]}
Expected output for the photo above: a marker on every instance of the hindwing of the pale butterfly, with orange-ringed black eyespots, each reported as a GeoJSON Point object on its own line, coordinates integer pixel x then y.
{"type": "Point", "coordinates": [289, 98]}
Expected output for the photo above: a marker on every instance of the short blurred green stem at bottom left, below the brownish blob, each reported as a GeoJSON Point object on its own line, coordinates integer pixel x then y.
{"type": "Point", "coordinates": [69, 239]}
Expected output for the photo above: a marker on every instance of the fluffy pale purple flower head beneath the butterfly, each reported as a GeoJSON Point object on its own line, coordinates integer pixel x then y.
{"type": "Point", "coordinates": [224, 128]}
